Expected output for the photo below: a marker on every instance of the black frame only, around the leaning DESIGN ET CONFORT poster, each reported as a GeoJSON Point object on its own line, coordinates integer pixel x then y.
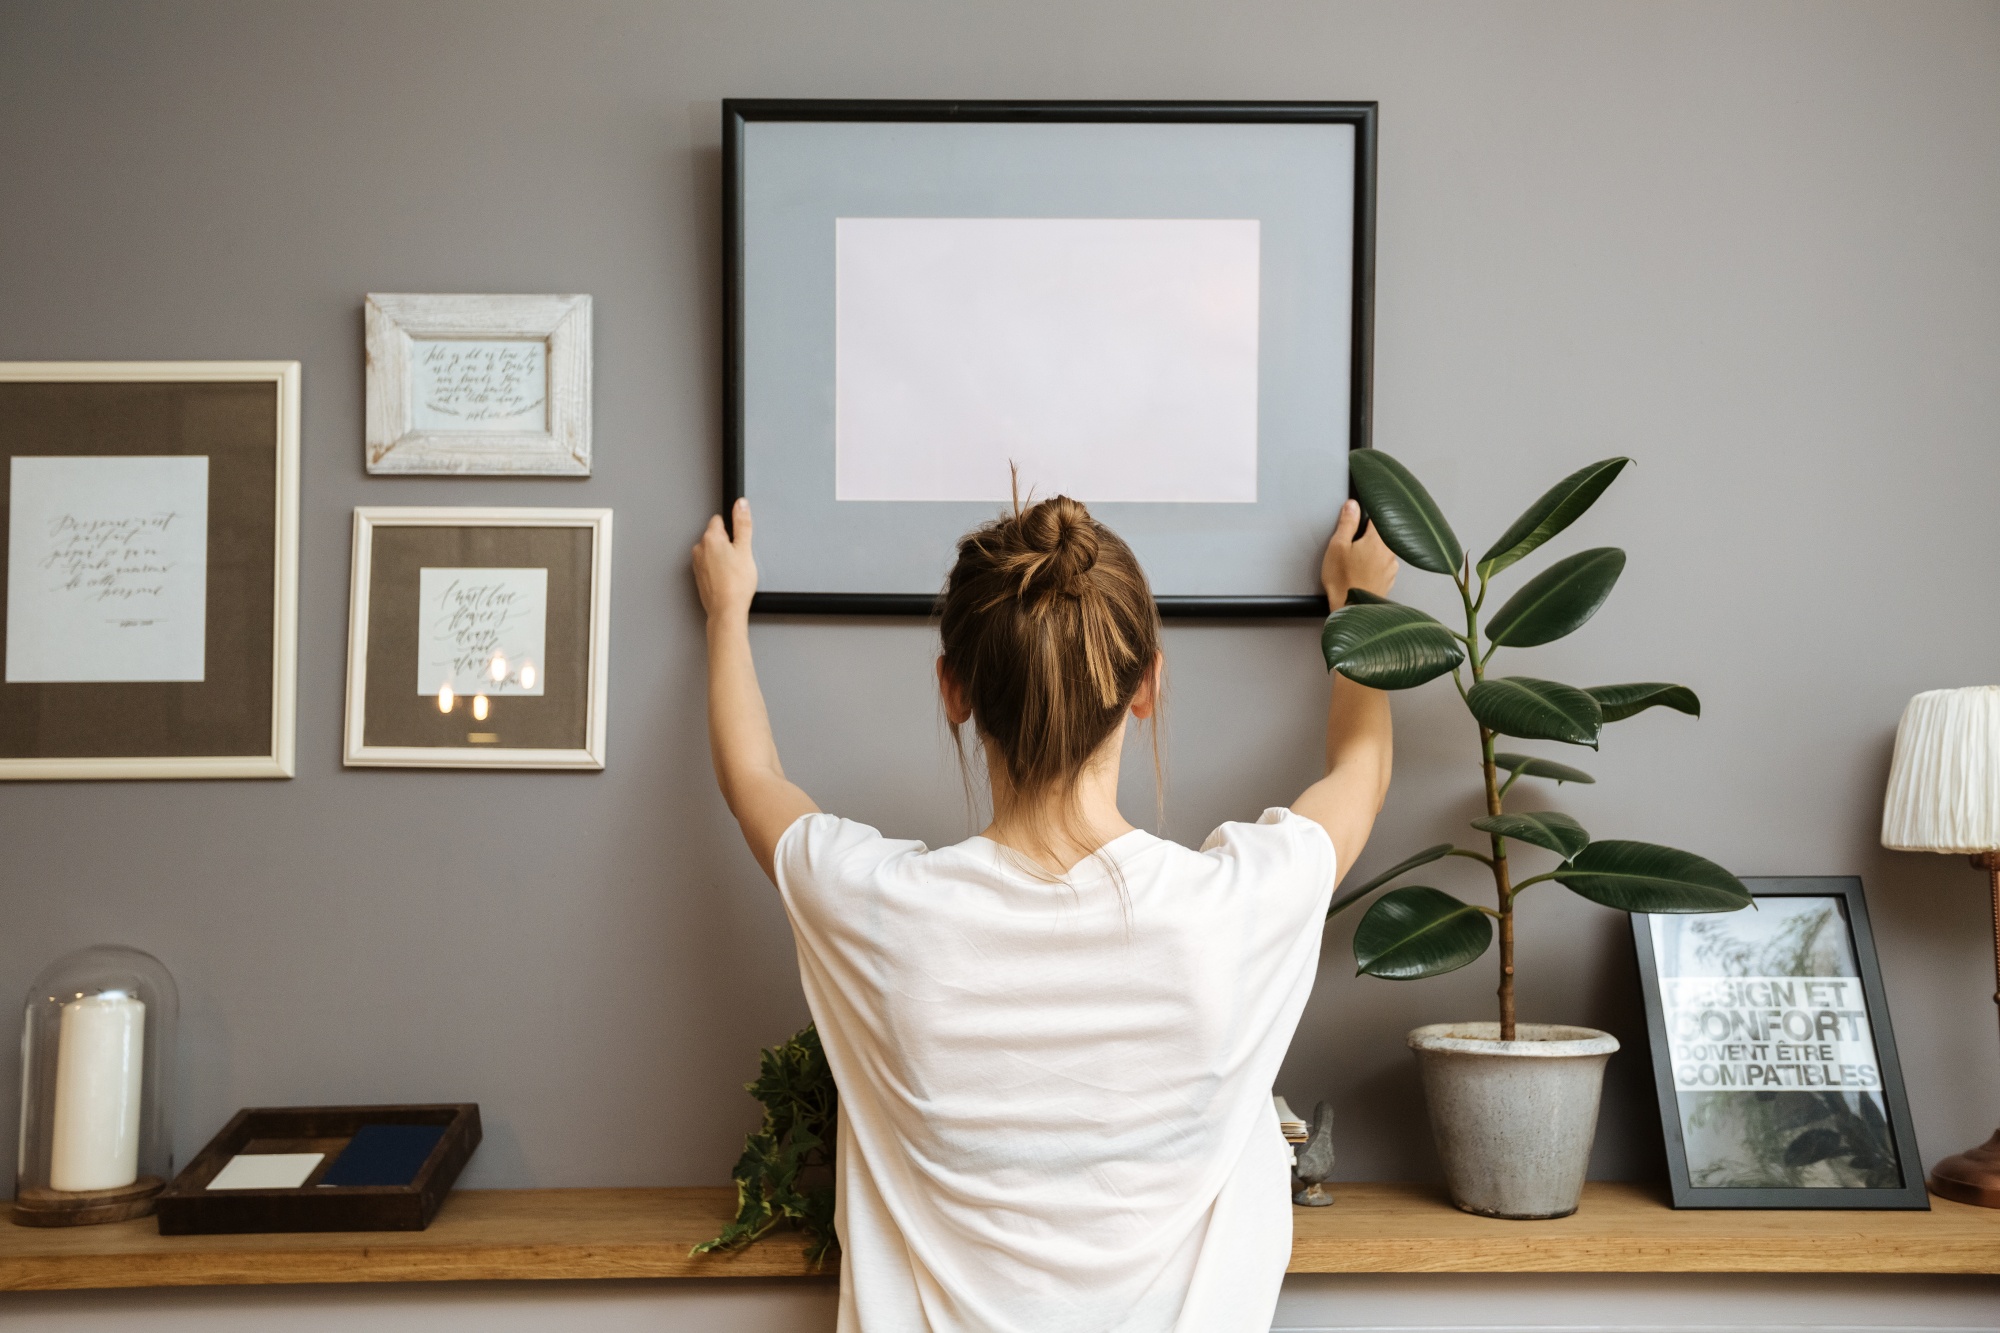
{"type": "Point", "coordinates": [1909, 1168]}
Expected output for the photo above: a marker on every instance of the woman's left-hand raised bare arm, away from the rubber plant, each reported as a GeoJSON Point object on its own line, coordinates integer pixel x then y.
{"type": "Point", "coordinates": [741, 746]}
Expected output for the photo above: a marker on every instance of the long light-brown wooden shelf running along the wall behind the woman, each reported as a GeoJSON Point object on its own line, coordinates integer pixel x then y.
{"type": "Point", "coordinates": [591, 1234]}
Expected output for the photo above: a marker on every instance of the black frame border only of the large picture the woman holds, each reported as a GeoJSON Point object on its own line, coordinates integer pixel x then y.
{"type": "Point", "coordinates": [739, 113]}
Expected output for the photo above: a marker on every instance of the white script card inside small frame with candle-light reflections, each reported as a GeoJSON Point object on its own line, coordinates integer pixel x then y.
{"type": "Point", "coordinates": [481, 631]}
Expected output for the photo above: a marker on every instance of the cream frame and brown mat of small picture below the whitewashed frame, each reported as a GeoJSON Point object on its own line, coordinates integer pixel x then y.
{"type": "Point", "coordinates": [579, 627]}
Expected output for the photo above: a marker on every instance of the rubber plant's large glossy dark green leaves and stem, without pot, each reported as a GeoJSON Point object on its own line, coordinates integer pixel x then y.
{"type": "Point", "coordinates": [1419, 932]}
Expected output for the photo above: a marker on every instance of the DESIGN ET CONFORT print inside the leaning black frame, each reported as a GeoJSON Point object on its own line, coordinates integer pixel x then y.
{"type": "Point", "coordinates": [1773, 1050]}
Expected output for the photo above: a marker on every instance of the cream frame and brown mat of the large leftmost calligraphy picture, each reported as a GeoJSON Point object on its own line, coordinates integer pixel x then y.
{"type": "Point", "coordinates": [241, 417]}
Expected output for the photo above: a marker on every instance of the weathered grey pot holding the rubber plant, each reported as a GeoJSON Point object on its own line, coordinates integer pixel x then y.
{"type": "Point", "coordinates": [1513, 1120]}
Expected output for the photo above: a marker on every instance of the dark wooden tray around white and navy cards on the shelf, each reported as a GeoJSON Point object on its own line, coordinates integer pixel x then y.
{"type": "Point", "coordinates": [187, 1206]}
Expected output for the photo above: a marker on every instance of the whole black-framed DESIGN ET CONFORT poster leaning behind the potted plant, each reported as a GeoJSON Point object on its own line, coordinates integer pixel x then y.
{"type": "Point", "coordinates": [1775, 1058]}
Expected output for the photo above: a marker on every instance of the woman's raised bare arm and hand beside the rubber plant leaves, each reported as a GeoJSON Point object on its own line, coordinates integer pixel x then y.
{"type": "Point", "coordinates": [1357, 718]}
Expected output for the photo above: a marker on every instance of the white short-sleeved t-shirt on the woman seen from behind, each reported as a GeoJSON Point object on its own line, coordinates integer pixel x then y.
{"type": "Point", "coordinates": [1055, 1098]}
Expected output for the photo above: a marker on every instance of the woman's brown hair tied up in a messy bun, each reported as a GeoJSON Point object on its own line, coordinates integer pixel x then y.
{"type": "Point", "coordinates": [1049, 629]}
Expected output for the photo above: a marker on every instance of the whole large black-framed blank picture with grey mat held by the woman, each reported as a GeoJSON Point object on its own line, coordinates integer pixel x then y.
{"type": "Point", "coordinates": [1163, 309]}
